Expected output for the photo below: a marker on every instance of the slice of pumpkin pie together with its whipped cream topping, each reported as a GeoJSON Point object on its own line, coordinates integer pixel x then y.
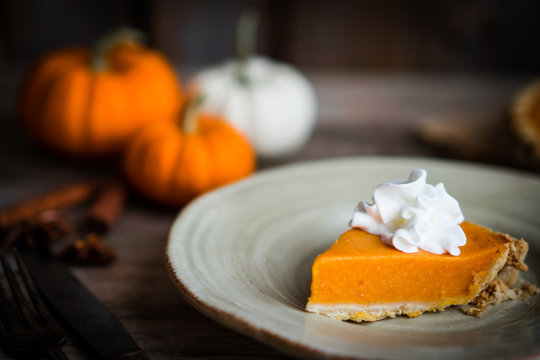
{"type": "Point", "coordinates": [411, 252]}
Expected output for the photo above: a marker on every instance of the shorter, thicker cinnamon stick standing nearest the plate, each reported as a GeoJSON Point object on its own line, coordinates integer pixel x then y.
{"type": "Point", "coordinates": [105, 210]}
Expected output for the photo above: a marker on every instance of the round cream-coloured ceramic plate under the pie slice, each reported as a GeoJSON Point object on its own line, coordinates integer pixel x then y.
{"type": "Point", "coordinates": [242, 256]}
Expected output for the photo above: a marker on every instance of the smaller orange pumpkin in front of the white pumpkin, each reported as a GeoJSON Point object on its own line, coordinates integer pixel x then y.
{"type": "Point", "coordinates": [173, 163]}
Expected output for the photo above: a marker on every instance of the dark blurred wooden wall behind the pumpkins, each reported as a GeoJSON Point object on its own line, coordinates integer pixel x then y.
{"type": "Point", "coordinates": [487, 36]}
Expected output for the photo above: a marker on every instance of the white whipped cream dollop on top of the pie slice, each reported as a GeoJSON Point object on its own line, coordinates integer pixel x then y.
{"type": "Point", "coordinates": [410, 214]}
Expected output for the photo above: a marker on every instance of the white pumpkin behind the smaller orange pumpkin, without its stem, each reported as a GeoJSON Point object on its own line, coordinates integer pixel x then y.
{"type": "Point", "coordinates": [272, 103]}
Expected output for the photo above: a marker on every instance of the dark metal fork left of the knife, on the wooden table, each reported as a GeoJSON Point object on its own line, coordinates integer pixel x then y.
{"type": "Point", "coordinates": [26, 327]}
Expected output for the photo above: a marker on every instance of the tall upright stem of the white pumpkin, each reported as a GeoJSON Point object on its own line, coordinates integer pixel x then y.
{"type": "Point", "coordinates": [246, 42]}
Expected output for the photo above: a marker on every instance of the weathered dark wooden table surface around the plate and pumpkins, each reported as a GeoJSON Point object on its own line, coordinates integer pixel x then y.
{"type": "Point", "coordinates": [359, 114]}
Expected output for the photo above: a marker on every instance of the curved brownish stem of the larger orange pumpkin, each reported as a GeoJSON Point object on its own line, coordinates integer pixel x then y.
{"type": "Point", "coordinates": [107, 42]}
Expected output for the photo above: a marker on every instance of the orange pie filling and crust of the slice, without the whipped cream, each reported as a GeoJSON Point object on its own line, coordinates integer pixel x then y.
{"type": "Point", "coordinates": [359, 278]}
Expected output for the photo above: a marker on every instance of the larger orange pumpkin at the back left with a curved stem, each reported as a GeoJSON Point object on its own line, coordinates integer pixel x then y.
{"type": "Point", "coordinates": [83, 103]}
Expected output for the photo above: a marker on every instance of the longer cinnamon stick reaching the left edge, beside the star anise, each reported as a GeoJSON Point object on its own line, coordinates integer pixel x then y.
{"type": "Point", "coordinates": [59, 198]}
